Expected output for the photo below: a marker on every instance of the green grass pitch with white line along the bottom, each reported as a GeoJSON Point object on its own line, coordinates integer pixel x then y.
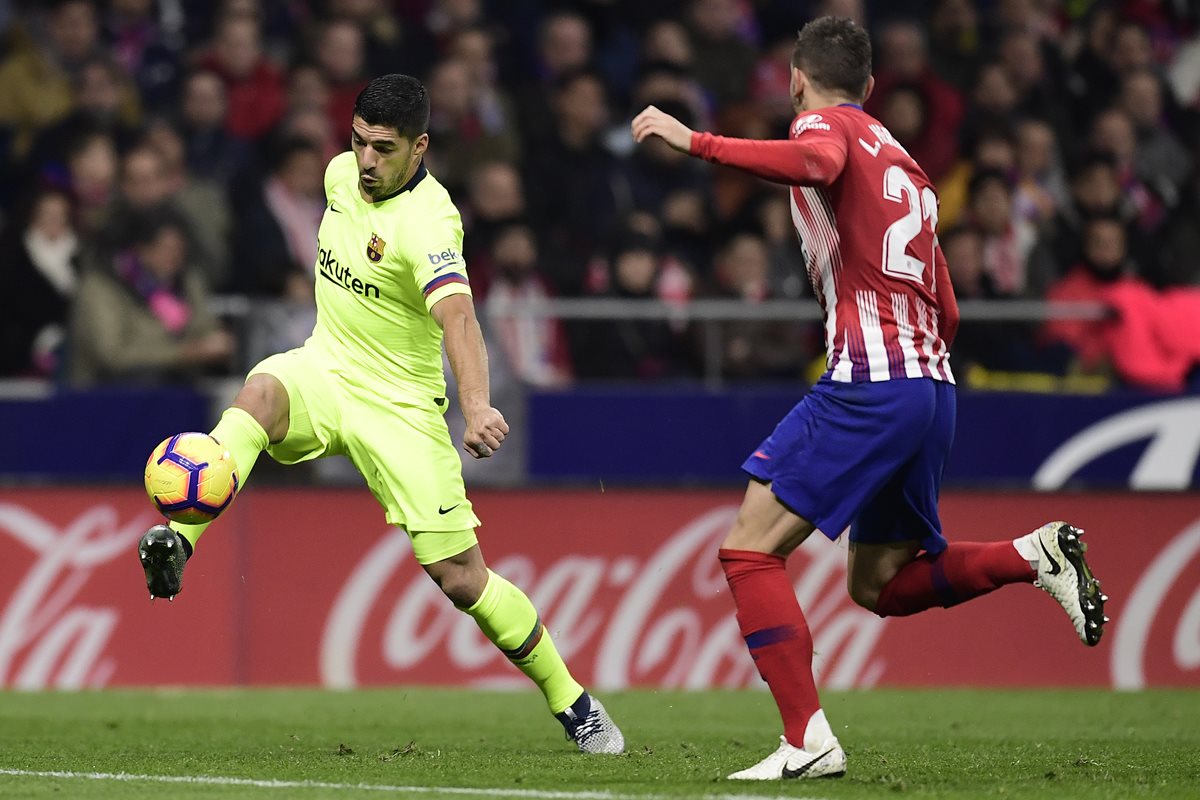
{"type": "Point", "coordinates": [425, 743]}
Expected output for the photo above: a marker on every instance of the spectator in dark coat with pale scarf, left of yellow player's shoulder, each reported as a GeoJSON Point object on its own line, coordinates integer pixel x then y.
{"type": "Point", "coordinates": [275, 234]}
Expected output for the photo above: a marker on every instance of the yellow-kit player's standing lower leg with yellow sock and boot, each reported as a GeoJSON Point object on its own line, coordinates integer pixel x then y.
{"type": "Point", "coordinates": [512, 623]}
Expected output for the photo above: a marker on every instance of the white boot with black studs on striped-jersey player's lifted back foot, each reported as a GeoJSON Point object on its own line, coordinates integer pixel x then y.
{"type": "Point", "coordinates": [1065, 576]}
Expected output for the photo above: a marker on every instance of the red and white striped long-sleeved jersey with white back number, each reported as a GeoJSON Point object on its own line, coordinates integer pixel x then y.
{"type": "Point", "coordinates": [867, 219]}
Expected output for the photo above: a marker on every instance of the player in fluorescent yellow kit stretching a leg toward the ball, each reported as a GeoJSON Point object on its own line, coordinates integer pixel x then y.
{"type": "Point", "coordinates": [369, 384]}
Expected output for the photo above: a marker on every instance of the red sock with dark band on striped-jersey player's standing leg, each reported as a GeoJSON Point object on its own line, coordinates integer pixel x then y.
{"type": "Point", "coordinates": [777, 634]}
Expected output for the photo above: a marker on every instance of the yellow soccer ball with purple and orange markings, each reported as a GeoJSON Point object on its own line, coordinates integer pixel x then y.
{"type": "Point", "coordinates": [191, 478]}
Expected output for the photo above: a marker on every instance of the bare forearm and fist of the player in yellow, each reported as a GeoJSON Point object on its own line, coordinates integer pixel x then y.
{"type": "Point", "coordinates": [487, 428]}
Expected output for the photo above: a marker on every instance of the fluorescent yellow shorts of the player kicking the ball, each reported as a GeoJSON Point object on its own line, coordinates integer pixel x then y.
{"type": "Point", "coordinates": [404, 450]}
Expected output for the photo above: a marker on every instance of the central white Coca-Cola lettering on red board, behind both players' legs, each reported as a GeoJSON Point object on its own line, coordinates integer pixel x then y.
{"type": "Point", "coordinates": [664, 619]}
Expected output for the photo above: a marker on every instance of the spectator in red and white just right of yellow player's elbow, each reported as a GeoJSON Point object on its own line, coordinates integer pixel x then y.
{"type": "Point", "coordinates": [535, 346]}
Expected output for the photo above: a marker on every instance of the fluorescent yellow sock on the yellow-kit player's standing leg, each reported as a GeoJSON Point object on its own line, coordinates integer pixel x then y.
{"type": "Point", "coordinates": [512, 623]}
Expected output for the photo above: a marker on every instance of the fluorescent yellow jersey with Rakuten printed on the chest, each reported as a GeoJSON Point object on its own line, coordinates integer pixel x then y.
{"type": "Point", "coordinates": [381, 268]}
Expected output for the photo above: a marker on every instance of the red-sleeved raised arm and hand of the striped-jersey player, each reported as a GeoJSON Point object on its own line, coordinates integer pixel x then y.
{"type": "Point", "coordinates": [784, 161]}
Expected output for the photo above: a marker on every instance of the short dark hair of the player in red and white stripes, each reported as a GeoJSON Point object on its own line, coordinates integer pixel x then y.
{"type": "Point", "coordinates": [836, 55]}
